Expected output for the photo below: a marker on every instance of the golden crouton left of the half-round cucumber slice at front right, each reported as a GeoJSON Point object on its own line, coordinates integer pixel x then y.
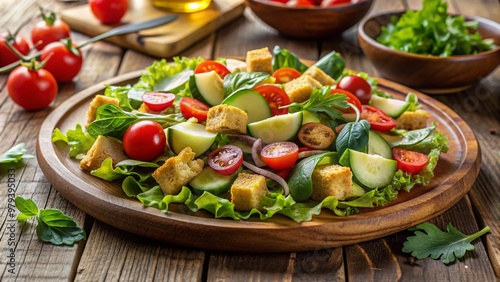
{"type": "Point", "coordinates": [331, 180]}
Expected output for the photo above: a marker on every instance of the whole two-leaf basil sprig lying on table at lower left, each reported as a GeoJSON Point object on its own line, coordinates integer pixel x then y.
{"type": "Point", "coordinates": [53, 225]}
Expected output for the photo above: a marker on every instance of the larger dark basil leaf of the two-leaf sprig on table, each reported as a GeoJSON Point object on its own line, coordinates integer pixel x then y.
{"type": "Point", "coordinates": [57, 228]}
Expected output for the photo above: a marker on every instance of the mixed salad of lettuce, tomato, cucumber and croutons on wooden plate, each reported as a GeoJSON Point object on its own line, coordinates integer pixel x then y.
{"type": "Point", "coordinates": [331, 129]}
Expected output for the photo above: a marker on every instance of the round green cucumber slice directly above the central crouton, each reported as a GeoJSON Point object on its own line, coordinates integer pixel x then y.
{"type": "Point", "coordinates": [250, 101]}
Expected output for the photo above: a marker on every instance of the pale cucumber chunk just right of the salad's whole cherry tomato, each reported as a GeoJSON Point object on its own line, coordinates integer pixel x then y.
{"type": "Point", "coordinates": [189, 134]}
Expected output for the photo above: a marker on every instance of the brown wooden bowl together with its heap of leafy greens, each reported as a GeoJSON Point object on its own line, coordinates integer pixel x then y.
{"type": "Point", "coordinates": [429, 49]}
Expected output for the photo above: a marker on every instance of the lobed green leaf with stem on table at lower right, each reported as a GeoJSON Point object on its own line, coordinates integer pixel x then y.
{"type": "Point", "coordinates": [429, 240]}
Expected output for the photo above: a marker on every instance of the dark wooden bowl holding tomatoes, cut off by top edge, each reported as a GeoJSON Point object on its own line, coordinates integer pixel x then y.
{"type": "Point", "coordinates": [305, 22]}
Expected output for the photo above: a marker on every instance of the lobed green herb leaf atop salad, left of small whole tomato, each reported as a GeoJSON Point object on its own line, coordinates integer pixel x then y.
{"type": "Point", "coordinates": [321, 102]}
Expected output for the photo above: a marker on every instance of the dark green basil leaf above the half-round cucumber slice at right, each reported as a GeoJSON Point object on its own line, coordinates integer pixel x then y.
{"type": "Point", "coordinates": [353, 136]}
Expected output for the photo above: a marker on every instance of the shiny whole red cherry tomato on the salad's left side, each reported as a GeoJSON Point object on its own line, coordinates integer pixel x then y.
{"type": "Point", "coordinates": [144, 140]}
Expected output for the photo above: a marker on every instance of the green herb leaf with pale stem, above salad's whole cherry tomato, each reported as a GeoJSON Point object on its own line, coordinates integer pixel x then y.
{"type": "Point", "coordinates": [113, 121]}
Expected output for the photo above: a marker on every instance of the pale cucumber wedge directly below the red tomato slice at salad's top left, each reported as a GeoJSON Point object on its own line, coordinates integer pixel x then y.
{"type": "Point", "coordinates": [208, 86]}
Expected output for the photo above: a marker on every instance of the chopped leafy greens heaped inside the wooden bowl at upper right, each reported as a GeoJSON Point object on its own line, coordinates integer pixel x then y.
{"type": "Point", "coordinates": [432, 31]}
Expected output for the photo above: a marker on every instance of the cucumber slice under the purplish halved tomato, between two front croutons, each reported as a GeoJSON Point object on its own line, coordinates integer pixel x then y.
{"type": "Point", "coordinates": [210, 181]}
